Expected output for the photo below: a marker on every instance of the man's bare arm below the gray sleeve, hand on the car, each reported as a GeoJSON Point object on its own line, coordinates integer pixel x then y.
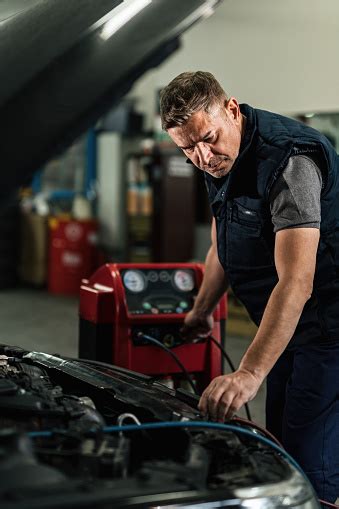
{"type": "Point", "coordinates": [295, 259]}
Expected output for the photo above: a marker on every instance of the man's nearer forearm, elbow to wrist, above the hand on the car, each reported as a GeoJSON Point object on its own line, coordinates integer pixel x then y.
{"type": "Point", "coordinates": [278, 324]}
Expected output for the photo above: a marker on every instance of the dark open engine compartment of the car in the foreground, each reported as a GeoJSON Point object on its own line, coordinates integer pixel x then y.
{"type": "Point", "coordinates": [55, 451]}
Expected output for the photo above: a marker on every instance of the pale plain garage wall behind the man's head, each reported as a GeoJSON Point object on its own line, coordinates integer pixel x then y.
{"type": "Point", "coordinates": [281, 56]}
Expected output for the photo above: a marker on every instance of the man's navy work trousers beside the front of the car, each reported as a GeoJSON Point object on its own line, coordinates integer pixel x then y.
{"type": "Point", "coordinates": [302, 411]}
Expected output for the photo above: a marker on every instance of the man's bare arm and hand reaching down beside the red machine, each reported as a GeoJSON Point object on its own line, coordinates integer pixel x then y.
{"type": "Point", "coordinates": [199, 320]}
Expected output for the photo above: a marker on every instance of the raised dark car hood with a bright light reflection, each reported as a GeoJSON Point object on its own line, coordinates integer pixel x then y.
{"type": "Point", "coordinates": [67, 61]}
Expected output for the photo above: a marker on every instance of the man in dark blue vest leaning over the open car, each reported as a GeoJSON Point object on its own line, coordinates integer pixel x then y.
{"type": "Point", "coordinates": [273, 187]}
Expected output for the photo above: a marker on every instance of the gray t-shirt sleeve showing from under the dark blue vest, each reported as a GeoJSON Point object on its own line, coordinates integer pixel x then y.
{"type": "Point", "coordinates": [295, 197]}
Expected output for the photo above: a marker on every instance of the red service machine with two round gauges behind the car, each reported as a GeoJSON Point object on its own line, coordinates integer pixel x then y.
{"type": "Point", "coordinates": [122, 305]}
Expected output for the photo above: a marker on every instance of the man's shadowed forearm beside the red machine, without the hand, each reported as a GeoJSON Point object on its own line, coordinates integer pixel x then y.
{"type": "Point", "coordinates": [213, 286]}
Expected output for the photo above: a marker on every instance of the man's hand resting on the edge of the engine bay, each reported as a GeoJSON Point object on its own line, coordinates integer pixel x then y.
{"type": "Point", "coordinates": [226, 394]}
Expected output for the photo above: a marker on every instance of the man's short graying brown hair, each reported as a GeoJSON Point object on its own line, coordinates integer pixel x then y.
{"type": "Point", "coordinates": [186, 94]}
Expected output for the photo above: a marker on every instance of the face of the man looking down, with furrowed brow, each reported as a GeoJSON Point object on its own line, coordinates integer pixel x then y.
{"type": "Point", "coordinates": [211, 140]}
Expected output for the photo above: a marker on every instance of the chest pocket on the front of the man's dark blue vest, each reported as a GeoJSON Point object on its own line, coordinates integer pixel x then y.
{"type": "Point", "coordinates": [247, 246]}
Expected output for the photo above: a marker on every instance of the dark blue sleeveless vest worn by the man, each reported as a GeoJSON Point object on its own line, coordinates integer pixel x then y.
{"type": "Point", "coordinates": [240, 204]}
